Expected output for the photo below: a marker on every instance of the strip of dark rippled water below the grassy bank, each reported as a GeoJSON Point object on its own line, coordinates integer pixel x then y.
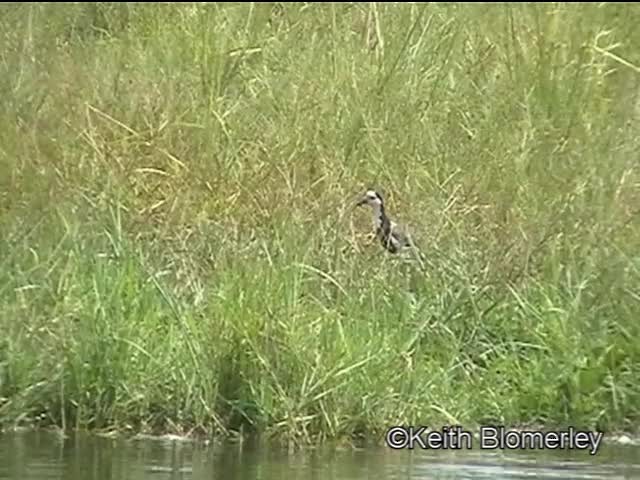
{"type": "Point", "coordinates": [42, 455]}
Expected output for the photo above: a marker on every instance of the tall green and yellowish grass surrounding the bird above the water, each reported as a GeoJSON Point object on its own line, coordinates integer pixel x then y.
{"type": "Point", "coordinates": [178, 245]}
